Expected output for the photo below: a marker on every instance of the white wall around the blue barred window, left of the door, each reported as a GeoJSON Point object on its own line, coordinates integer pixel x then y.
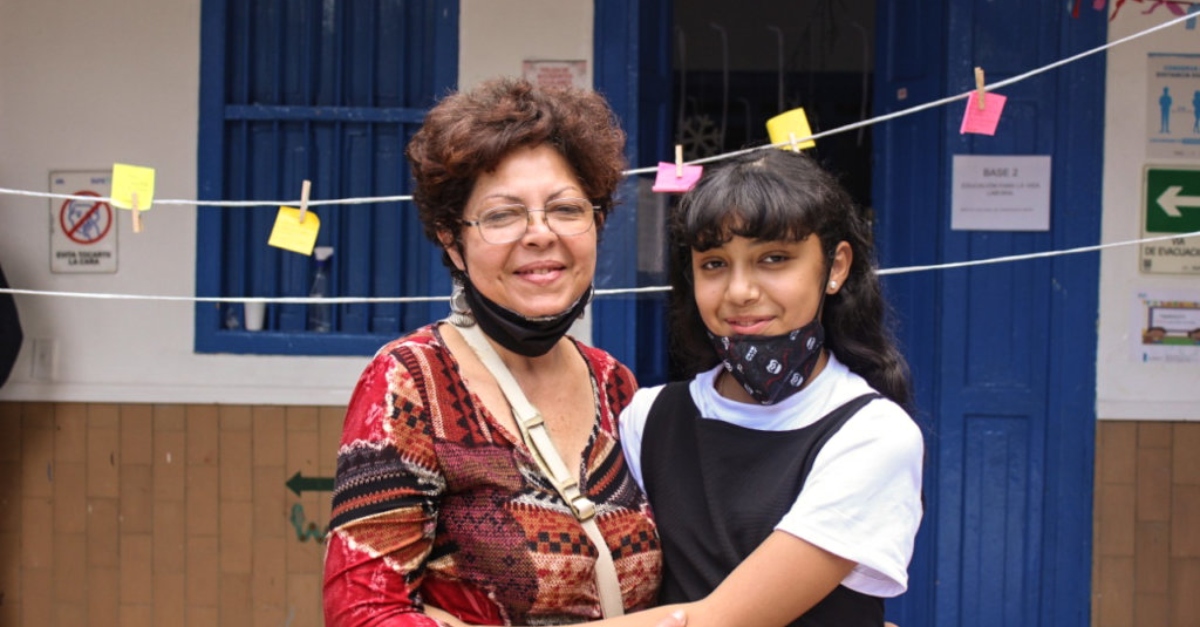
{"type": "Point", "coordinates": [88, 83]}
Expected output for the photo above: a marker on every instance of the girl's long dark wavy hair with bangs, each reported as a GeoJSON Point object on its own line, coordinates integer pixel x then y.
{"type": "Point", "coordinates": [779, 195]}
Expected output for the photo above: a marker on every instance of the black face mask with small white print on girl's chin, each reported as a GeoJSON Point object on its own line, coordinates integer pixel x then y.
{"type": "Point", "coordinates": [772, 368]}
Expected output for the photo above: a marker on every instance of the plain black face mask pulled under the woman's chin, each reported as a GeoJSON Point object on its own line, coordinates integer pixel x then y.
{"type": "Point", "coordinates": [523, 336]}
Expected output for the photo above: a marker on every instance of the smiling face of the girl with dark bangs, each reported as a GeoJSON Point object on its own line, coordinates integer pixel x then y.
{"type": "Point", "coordinates": [764, 288]}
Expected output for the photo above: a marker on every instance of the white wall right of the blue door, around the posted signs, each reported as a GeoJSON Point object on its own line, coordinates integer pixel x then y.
{"type": "Point", "coordinates": [1129, 389]}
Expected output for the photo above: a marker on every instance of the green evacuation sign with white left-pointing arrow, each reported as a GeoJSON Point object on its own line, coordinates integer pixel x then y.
{"type": "Point", "coordinates": [1172, 205]}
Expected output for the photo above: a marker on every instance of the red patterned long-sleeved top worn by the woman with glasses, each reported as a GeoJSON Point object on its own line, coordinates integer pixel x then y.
{"type": "Point", "coordinates": [435, 503]}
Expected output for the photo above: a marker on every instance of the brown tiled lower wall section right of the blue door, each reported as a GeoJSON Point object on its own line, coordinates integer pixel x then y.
{"type": "Point", "coordinates": [1147, 551]}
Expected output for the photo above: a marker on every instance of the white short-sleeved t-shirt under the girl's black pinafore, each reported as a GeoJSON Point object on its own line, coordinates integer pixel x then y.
{"type": "Point", "coordinates": [862, 499]}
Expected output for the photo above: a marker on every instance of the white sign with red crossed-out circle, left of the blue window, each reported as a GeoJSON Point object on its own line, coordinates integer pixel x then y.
{"type": "Point", "coordinates": [83, 235]}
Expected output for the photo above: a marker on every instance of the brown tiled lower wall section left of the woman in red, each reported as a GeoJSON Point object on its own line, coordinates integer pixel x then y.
{"type": "Point", "coordinates": [155, 516]}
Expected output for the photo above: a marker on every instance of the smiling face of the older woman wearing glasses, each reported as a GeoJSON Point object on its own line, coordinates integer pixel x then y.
{"type": "Point", "coordinates": [543, 273]}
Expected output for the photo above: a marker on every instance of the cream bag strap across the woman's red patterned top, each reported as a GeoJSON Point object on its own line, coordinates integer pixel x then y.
{"type": "Point", "coordinates": [537, 438]}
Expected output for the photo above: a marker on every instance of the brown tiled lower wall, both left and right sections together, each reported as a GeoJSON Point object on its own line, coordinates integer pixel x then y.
{"type": "Point", "coordinates": [152, 515]}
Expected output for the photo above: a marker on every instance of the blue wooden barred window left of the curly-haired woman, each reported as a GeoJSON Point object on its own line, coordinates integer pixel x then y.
{"type": "Point", "coordinates": [331, 93]}
